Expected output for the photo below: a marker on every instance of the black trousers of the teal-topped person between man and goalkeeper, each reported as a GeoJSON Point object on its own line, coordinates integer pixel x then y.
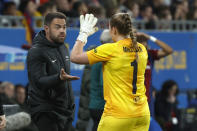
{"type": "Point", "coordinates": [96, 116]}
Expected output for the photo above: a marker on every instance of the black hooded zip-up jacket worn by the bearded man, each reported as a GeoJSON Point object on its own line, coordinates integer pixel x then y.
{"type": "Point", "coordinates": [46, 92]}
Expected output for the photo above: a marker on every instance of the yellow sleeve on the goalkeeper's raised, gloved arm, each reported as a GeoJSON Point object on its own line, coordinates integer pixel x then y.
{"type": "Point", "coordinates": [101, 53]}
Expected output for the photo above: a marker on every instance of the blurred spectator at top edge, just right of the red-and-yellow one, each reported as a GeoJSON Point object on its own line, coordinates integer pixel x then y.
{"type": "Point", "coordinates": [47, 7]}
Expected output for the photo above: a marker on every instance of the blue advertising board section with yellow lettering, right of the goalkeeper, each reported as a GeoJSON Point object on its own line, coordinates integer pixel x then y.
{"type": "Point", "coordinates": [181, 65]}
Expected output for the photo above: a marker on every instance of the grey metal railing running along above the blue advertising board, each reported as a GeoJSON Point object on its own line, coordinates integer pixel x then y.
{"type": "Point", "coordinates": [161, 25]}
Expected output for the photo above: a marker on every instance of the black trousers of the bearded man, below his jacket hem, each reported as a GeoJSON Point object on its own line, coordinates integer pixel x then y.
{"type": "Point", "coordinates": [47, 122]}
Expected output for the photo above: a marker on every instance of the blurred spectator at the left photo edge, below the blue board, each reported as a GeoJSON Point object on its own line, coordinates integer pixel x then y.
{"type": "Point", "coordinates": [7, 93]}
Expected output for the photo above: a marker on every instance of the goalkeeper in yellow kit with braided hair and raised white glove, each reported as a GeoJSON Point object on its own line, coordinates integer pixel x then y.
{"type": "Point", "coordinates": [124, 63]}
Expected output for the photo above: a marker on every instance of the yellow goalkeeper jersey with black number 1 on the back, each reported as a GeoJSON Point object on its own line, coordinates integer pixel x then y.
{"type": "Point", "coordinates": [123, 78]}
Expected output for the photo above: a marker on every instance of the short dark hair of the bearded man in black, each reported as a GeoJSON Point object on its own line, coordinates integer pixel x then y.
{"type": "Point", "coordinates": [50, 16]}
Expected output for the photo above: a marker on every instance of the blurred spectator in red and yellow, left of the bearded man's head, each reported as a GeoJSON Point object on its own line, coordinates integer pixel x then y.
{"type": "Point", "coordinates": [29, 10]}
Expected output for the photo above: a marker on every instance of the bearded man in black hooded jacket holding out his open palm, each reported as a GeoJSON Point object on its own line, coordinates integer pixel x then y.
{"type": "Point", "coordinates": [50, 95]}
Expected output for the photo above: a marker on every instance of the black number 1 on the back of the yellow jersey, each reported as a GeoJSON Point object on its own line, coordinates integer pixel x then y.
{"type": "Point", "coordinates": [134, 64]}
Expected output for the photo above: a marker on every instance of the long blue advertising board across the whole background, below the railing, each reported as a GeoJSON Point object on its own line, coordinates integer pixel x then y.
{"type": "Point", "coordinates": [180, 66]}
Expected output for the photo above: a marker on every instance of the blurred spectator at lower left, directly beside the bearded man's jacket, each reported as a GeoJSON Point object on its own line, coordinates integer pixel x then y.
{"type": "Point", "coordinates": [20, 94]}
